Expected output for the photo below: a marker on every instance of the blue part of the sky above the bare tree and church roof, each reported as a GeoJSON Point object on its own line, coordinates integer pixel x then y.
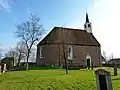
{"type": "Point", "coordinates": [51, 13]}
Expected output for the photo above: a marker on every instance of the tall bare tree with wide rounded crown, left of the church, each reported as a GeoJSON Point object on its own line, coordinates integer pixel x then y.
{"type": "Point", "coordinates": [29, 31]}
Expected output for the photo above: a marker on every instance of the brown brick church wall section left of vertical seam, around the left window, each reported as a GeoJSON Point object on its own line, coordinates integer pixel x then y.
{"type": "Point", "coordinates": [50, 55]}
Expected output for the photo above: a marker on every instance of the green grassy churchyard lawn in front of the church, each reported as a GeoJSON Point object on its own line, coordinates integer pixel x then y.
{"type": "Point", "coordinates": [53, 79]}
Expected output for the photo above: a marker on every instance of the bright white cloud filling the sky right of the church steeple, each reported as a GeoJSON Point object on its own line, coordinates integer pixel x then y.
{"type": "Point", "coordinates": [105, 16]}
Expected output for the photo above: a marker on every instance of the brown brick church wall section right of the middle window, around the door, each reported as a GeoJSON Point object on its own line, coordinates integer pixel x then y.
{"type": "Point", "coordinates": [80, 52]}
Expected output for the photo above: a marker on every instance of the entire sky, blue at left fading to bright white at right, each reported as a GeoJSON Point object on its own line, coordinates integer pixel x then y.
{"type": "Point", "coordinates": [103, 14]}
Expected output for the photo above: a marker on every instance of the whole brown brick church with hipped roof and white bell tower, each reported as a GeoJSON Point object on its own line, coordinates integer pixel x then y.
{"type": "Point", "coordinates": [81, 47]}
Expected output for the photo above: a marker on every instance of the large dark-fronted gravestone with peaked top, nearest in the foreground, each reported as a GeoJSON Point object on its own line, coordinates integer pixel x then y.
{"type": "Point", "coordinates": [103, 80]}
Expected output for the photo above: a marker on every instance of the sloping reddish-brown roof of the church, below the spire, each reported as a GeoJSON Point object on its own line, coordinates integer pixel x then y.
{"type": "Point", "coordinates": [70, 36]}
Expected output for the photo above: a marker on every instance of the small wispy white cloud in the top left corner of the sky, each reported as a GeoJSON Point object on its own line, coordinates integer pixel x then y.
{"type": "Point", "coordinates": [4, 5]}
